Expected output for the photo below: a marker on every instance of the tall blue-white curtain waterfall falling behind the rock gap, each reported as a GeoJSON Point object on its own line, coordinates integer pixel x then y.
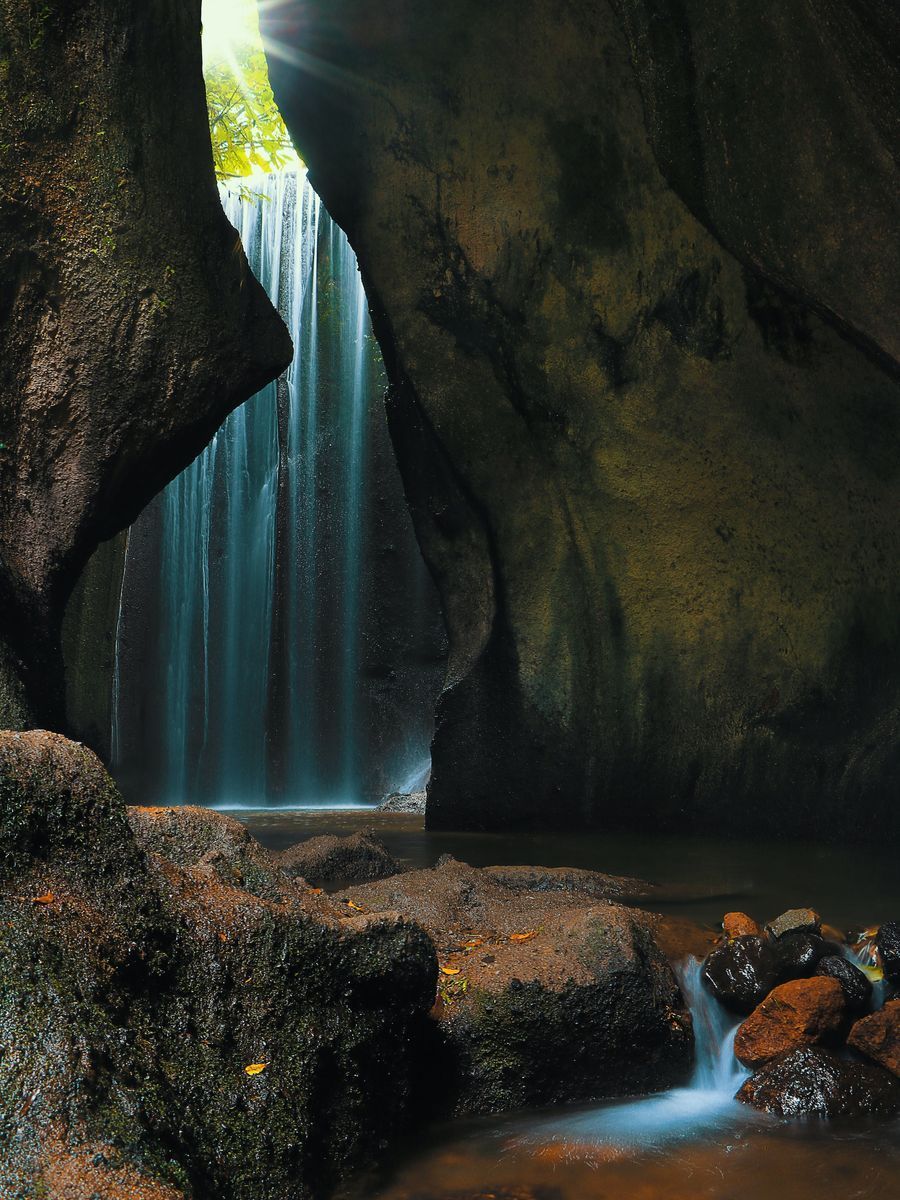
{"type": "Point", "coordinates": [256, 559]}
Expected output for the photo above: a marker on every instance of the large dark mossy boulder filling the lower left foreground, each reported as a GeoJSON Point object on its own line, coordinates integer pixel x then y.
{"type": "Point", "coordinates": [181, 1019]}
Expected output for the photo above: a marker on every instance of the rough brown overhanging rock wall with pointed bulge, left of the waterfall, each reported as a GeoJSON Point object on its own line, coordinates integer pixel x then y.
{"type": "Point", "coordinates": [130, 325]}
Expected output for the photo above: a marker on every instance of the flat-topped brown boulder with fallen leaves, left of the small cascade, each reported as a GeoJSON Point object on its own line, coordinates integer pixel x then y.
{"type": "Point", "coordinates": [545, 995]}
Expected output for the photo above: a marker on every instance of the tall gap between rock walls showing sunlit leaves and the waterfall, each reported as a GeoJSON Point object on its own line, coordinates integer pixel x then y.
{"type": "Point", "coordinates": [277, 639]}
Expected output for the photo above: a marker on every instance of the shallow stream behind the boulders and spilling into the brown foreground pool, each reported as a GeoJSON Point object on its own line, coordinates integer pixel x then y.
{"type": "Point", "coordinates": [694, 1143]}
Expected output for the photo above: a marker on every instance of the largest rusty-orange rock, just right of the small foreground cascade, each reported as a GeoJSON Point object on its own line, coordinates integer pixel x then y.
{"type": "Point", "coordinates": [803, 1012]}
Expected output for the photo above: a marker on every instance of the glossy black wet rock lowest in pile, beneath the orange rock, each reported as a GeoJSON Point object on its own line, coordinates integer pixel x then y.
{"type": "Point", "coordinates": [813, 1082]}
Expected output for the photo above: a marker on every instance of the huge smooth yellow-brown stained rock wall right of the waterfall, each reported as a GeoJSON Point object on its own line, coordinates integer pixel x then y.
{"type": "Point", "coordinates": [622, 440]}
